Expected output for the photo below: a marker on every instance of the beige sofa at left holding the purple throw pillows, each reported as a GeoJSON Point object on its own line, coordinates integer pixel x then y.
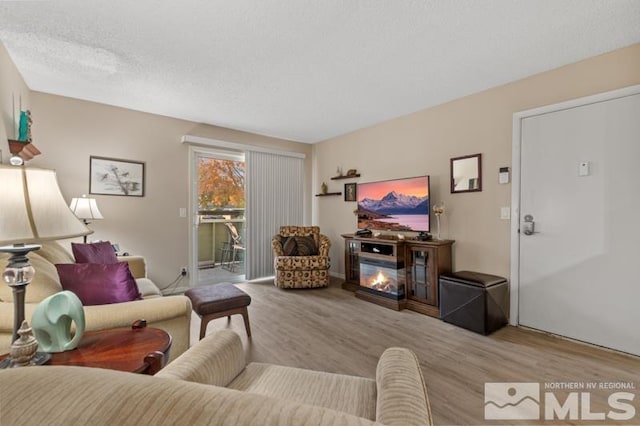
{"type": "Point", "coordinates": [170, 313]}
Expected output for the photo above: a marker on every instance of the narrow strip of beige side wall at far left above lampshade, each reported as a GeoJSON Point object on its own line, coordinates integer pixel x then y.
{"type": "Point", "coordinates": [12, 89]}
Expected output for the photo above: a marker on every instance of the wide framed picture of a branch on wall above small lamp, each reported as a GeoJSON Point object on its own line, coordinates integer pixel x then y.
{"type": "Point", "coordinates": [112, 176]}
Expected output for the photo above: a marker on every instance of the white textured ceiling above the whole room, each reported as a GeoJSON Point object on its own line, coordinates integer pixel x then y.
{"type": "Point", "coordinates": [304, 70]}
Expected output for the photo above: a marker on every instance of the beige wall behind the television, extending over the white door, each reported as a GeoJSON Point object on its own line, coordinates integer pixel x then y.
{"type": "Point", "coordinates": [423, 143]}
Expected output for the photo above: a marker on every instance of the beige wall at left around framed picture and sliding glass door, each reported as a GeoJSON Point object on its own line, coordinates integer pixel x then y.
{"type": "Point", "coordinates": [68, 131]}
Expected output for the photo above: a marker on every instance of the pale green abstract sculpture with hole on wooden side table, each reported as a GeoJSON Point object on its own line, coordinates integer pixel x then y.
{"type": "Point", "coordinates": [51, 322]}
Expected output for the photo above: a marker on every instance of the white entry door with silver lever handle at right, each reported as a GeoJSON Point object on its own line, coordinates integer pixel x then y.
{"type": "Point", "coordinates": [580, 187]}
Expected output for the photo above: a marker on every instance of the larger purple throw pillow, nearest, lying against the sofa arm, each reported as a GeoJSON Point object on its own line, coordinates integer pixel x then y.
{"type": "Point", "coordinates": [99, 283]}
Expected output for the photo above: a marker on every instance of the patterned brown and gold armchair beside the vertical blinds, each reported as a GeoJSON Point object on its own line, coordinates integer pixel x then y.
{"type": "Point", "coordinates": [301, 257]}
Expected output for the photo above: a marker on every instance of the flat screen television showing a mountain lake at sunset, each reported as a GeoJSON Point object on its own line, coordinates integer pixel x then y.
{"type": "Point", "coordinates": [394, 205]}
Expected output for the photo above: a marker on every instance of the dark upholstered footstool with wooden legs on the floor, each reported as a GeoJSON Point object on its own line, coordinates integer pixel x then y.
{"type": "Point", "coordinates": [219, 300]}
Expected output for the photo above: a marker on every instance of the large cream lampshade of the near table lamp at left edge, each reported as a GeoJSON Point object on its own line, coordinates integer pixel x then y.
{"type": "Point", "coordinates": [32, 208]}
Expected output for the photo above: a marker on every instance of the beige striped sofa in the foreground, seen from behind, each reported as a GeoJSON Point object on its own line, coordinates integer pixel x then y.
{"type": "Point", "coordinates": [211, 384]}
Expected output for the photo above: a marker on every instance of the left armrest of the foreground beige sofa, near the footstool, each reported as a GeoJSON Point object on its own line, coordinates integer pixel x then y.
{"type": "Point", "coordinates": [215, 360]}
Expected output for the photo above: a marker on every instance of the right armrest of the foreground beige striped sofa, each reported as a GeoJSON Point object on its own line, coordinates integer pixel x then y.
{"type": "Point", "coordinates": [402, 394]}
